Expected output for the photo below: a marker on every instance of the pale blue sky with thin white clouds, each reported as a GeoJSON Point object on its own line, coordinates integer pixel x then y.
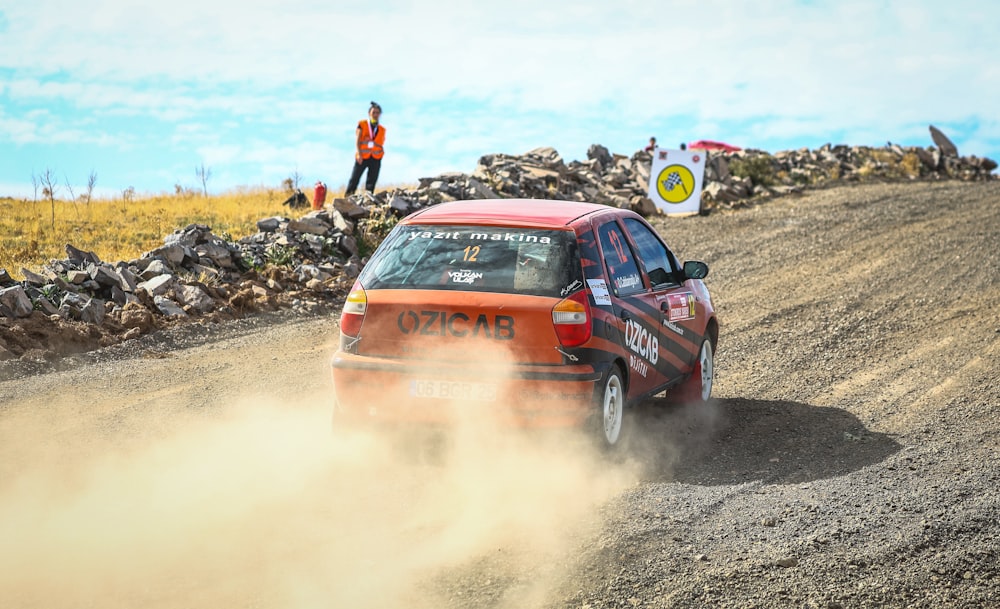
{"type": "Point", "coordinates": [142, 95]}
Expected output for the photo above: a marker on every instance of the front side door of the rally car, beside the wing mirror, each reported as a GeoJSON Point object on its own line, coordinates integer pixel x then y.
{"type": "Point", "coordinates": [681, 315]}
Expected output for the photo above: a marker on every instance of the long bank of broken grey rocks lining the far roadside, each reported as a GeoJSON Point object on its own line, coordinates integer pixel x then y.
{"type": "Point", "coordinates": [307, 262]}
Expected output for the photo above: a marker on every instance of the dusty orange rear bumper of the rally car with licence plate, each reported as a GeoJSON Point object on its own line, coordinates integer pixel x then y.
{"type": "Point", "coordinates": [387, 391]}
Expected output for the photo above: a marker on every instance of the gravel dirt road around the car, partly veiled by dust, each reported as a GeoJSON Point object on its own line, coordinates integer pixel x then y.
{"type": "Point", "coordinates": [849, 459]}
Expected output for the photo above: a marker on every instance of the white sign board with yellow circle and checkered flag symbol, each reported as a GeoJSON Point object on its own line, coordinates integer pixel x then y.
{"type": "Point", "coordinates": [675, 180]}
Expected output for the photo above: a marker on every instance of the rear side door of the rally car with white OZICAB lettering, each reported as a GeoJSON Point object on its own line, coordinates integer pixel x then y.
{"type": "Point", "coordinates": [636, 309]}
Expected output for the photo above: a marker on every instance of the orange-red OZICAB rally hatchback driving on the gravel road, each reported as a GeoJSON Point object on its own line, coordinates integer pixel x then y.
{"type": "Point", "coordinates": [536, 313]}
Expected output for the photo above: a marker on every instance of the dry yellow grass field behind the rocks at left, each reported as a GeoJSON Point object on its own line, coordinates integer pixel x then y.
{"type": "Point", "coordinates": [122, 228]}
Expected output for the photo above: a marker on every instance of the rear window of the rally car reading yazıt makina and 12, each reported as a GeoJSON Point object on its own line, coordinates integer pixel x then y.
{"type": "Point", "coordinates": [476, 259]}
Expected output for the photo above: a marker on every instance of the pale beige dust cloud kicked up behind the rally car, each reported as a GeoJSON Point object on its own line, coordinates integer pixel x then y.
{"type": "Point", "coordinates": [260, 504]}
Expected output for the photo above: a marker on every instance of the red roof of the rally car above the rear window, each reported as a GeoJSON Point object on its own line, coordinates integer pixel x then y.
{"type": "Point", "coordinates": [525, 212]}
